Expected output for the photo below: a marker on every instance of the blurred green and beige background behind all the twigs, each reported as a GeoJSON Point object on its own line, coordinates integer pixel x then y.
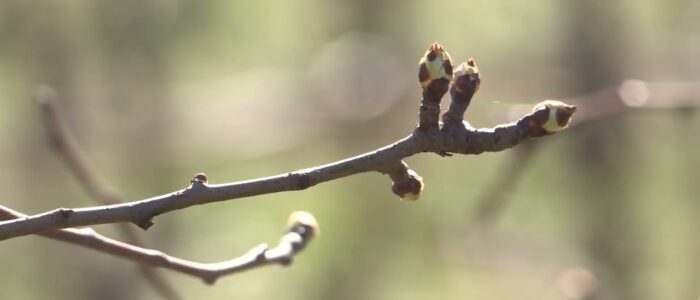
{"type": "Point", "coordinates": [159, 90]}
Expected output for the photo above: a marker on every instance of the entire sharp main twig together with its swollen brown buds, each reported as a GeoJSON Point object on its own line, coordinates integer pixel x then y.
{"type": "Point", "coordinates": [453, 136]}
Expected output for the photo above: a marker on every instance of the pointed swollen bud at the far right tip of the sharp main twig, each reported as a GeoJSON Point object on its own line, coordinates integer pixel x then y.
{"type": "Point", "coordinates": [552, 116]}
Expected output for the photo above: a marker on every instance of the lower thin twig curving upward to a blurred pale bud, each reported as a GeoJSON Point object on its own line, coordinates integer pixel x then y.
{"type": "Point", "coordinates": [302, 228]}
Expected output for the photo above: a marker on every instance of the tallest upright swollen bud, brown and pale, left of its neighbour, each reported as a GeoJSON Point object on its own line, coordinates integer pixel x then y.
{"type": "Point", "coordinates": [435, 64]}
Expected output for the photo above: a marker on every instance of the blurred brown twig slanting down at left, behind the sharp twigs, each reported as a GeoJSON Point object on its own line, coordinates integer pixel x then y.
{"type": "Point", "coordinates": [63, 142]}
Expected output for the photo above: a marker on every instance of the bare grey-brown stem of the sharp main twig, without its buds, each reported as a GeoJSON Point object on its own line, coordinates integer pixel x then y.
{"type": "Point", "coordinates": [462, 140]}
